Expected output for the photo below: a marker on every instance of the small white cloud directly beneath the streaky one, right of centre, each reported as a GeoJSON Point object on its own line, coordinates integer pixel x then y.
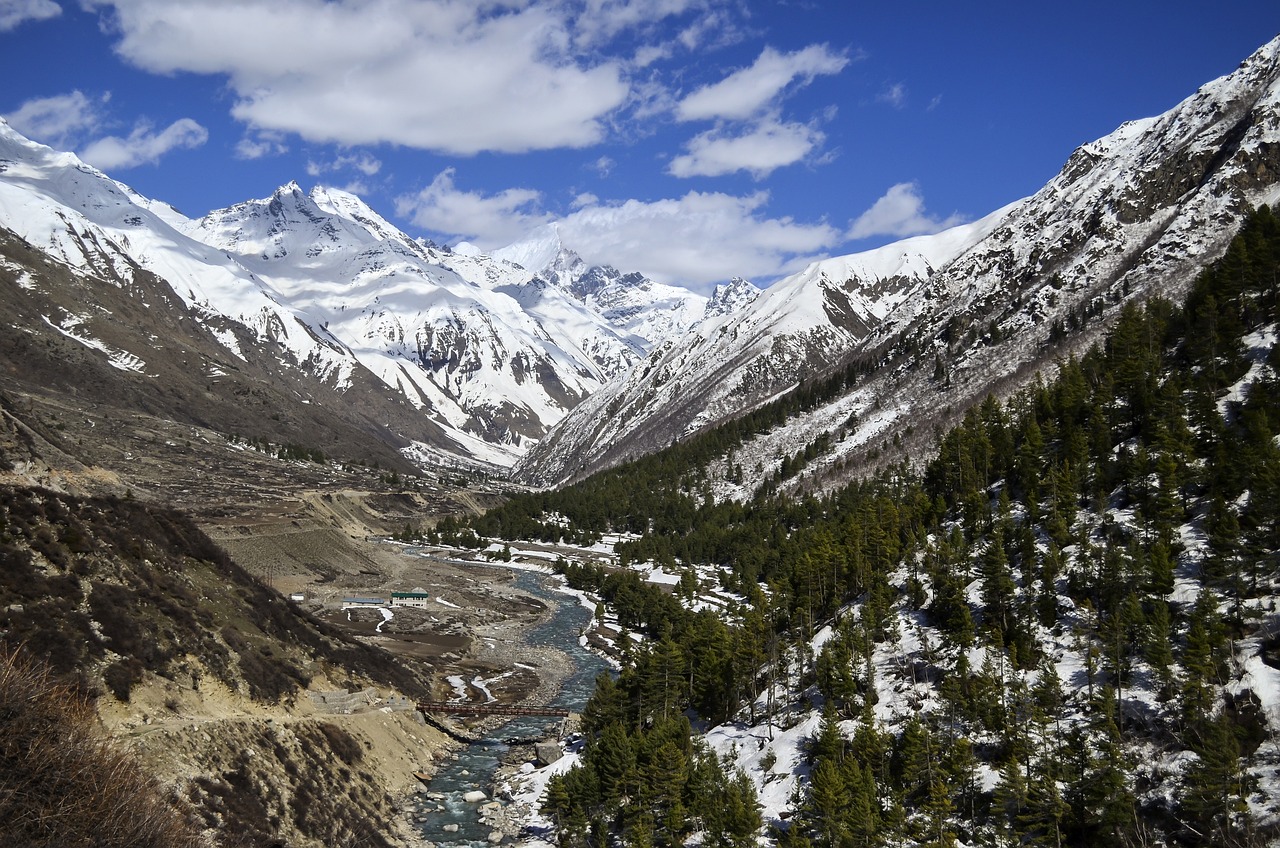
{"type": "Point", "coordinates": [758, 152]}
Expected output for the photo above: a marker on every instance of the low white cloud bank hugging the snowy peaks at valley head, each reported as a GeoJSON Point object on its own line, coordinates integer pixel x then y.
{"type": "Point", "coordinates": [696, 240]}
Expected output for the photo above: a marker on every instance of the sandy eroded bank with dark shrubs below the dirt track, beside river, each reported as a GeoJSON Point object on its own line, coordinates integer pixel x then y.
{"type": "Point", "coordinates": [303, 781]}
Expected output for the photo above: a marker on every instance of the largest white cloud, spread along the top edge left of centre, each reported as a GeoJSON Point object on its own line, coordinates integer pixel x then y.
{"type": "Point", "coordinates": [436, 75]}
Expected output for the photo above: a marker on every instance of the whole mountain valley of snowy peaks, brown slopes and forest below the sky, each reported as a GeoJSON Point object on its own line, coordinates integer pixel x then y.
{"type": "Point", "coordinates": [967, 540]}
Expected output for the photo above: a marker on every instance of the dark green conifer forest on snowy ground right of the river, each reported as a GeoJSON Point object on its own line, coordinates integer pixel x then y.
{"type": "Point", "coordinates": [1064, 599]}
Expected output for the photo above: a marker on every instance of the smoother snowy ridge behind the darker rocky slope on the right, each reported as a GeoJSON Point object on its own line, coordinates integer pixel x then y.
{"type": "Point", "coordinates": [752, 347]}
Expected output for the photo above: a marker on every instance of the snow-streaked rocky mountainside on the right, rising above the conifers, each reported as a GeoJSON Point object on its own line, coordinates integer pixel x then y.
{"type": "Point", "coordinates": [988, 304]}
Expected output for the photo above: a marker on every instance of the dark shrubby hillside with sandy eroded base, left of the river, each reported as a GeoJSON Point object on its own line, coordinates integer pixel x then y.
{"type": "Point", "coordinates": [203, 671]}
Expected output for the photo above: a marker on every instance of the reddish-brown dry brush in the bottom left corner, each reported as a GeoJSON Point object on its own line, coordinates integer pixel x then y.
{"type": "Point", "coordinates": [63, 783]}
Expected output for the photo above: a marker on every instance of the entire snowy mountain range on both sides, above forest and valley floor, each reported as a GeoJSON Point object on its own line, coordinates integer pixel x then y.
{"type": "Point", "coordinates": [308, 314]}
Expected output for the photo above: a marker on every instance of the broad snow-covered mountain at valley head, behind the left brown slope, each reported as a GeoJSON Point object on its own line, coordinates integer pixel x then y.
{"type": "Point", "coordinates": [473, 344]}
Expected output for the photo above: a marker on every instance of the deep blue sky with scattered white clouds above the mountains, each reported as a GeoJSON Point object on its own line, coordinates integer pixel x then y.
{"type": "Point", "coordinates": [693, 140]}
